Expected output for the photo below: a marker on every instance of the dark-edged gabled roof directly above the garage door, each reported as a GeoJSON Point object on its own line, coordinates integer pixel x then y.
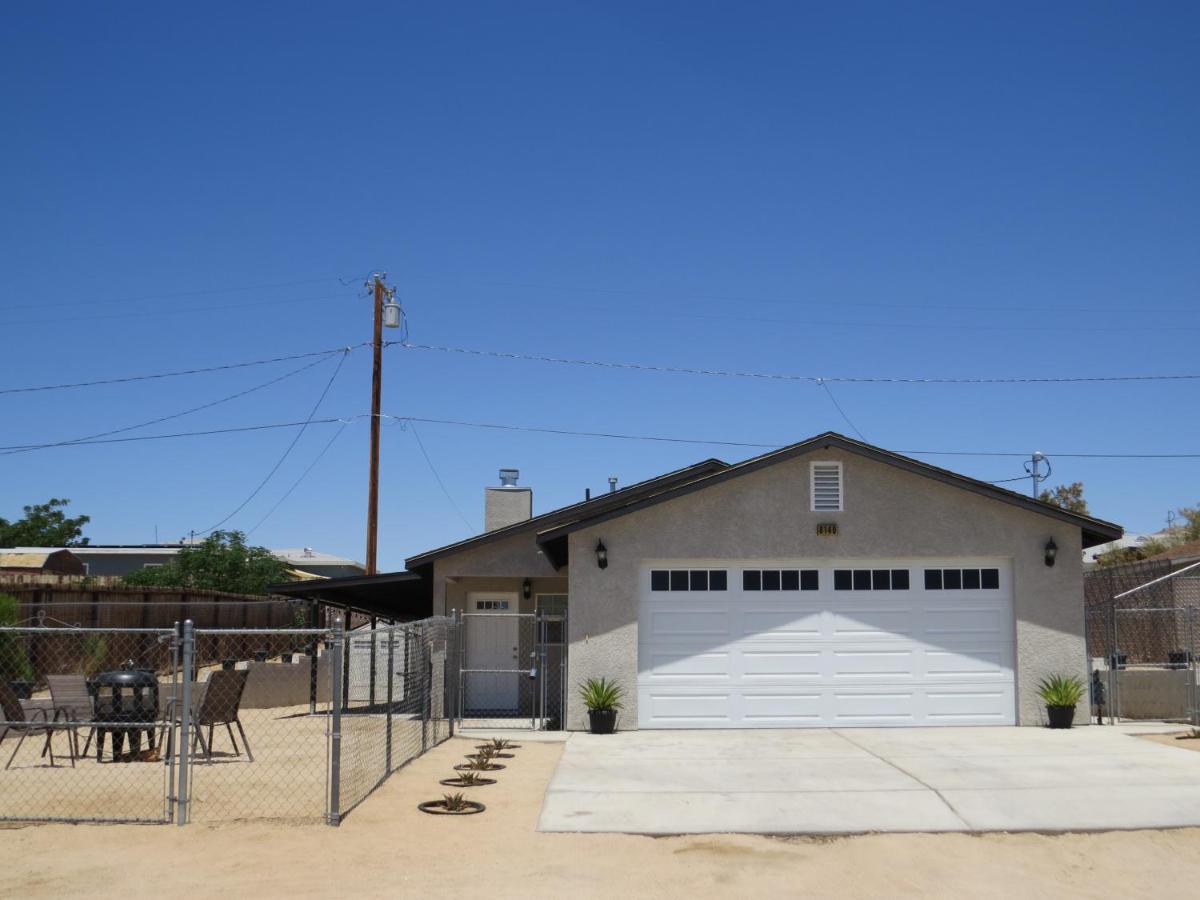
{"type": "Point", "coordinates": [1096, 531]}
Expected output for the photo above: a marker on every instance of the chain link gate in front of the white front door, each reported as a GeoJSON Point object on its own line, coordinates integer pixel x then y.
{"type": "Point", "coordinates": [512, 670]}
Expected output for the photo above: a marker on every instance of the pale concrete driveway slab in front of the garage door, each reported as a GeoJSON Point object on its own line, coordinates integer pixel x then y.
{"type": "Point", "coordinates": [847, 782]}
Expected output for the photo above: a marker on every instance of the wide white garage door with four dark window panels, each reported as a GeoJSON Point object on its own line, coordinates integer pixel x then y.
{"type": "Point", "coordinates": [802, 644]}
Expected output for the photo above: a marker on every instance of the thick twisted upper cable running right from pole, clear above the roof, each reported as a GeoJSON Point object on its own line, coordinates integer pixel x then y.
{"type": "Point", "coordinates": [784, 377]}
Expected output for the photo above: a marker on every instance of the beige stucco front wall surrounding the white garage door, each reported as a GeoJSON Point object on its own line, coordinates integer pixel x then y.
{"type": "Point", "coordinates": [889, 513]}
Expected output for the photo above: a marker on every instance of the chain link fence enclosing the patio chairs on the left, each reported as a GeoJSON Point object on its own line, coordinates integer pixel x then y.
{"type": "Point", "coordinates": [213, 725]}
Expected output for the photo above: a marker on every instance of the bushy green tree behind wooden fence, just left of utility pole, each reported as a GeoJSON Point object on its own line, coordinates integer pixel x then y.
{"type": "Point", "coordinates": [223, 562]}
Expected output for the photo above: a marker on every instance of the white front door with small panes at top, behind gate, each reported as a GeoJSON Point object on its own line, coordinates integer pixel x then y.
{"type": "Point", "coordinates": [493, 653]}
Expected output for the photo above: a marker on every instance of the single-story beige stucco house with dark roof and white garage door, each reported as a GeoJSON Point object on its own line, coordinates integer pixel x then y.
{"type": "Point", "coordinates": [826, 584]}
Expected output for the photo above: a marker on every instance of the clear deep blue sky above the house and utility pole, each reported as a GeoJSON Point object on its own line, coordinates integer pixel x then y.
{"type": "Point", "coordinates": [848, 189]}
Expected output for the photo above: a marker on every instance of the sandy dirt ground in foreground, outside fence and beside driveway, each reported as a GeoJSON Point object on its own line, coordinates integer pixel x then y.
{"type": "Point", "coordinates": [388, 849]}
